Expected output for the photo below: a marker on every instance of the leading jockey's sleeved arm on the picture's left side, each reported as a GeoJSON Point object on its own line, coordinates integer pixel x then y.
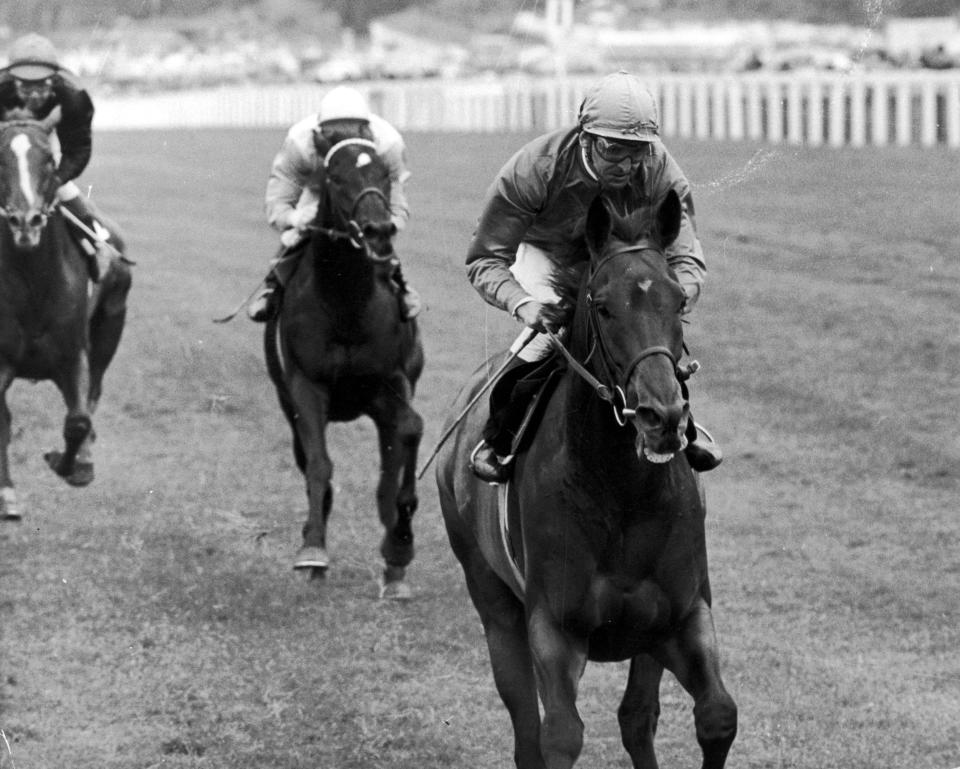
{"type": "Point", "coordinates": [510, 208]}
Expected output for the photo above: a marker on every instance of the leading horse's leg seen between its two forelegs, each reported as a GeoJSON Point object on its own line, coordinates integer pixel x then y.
{"type": "Point", "coordinates": [640, 711]}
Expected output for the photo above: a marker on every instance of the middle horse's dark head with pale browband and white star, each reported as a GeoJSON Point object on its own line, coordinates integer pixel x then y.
{"type": "Point", "coordinates": [357, 190]}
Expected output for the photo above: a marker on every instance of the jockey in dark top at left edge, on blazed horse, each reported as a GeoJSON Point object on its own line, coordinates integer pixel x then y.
{"type": "Point", "coordinates": [34, 84]}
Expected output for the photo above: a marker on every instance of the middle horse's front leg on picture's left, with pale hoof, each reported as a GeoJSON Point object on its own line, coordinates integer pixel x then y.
{"type": "Point", "coordinates": [311, 403]}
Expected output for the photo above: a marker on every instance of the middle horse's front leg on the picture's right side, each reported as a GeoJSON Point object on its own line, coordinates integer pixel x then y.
{"type": "Point", "coordinates": [400, 430]}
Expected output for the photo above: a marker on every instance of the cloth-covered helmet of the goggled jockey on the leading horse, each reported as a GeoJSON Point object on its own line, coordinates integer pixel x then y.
{"type": "Point", "coordinates": [620, 107]}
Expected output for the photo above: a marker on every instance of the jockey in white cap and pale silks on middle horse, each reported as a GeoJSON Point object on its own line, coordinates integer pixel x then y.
{"type": "Point", "coordinates": [292, 201]}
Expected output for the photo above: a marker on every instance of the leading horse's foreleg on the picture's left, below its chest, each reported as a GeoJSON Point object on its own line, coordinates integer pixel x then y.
{"type": "Point", "coordinates": [559, 660]}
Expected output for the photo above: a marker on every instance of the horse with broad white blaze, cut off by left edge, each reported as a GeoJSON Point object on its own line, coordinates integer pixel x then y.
{"type": "Point", "coordinates": [55, 324]}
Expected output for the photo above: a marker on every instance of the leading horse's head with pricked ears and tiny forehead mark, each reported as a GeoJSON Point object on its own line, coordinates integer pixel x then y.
{"type": "Point", "coordinates": [633, 306]}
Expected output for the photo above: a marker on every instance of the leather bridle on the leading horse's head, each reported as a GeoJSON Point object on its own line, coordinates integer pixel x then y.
{"type": "Point", "coordinates": [614, 394]}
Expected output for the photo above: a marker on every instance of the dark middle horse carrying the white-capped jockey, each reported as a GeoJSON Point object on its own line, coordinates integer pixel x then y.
{"type": "Point", "coordinates": [338, 349]}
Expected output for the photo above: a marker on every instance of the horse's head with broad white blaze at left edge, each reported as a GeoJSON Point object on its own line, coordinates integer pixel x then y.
{"type": "Point", "coordinates": [27, 179]}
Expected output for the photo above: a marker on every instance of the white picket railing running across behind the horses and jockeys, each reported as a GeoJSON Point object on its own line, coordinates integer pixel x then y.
{"type": "Point", "coordinates": [877, 108]}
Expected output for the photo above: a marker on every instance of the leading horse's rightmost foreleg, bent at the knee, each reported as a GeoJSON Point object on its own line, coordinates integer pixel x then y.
{"type": "Point", "coordinates": [693, 658]}
